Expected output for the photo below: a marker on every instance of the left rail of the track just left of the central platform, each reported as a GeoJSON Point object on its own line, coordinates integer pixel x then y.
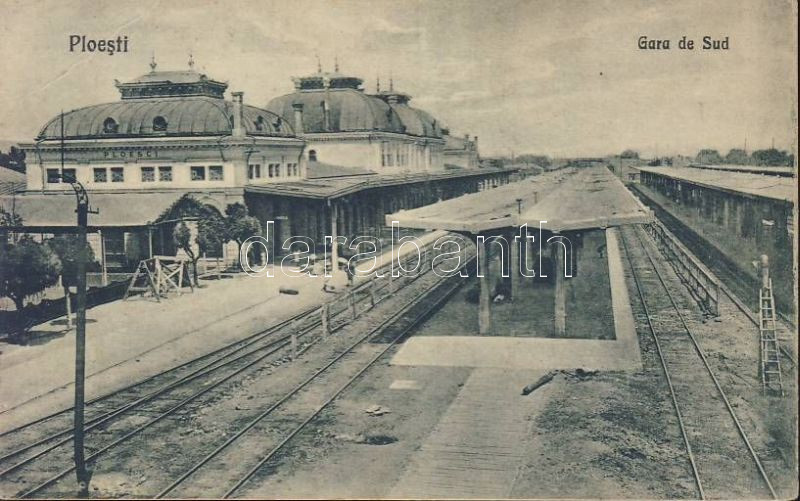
{"type": "Point", "coordinates": [178, 481]}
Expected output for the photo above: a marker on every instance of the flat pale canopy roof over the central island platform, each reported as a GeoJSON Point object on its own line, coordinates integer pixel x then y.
{"type": "Point", "coordinates": [563, 200]}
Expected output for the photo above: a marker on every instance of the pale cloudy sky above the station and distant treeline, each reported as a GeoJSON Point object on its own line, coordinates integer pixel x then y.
{"type": "Point", "coordinates": [563, 78]}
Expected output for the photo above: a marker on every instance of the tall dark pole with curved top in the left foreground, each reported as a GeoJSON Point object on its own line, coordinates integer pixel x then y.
{"type": "Point", "coordinates": [83, 211]}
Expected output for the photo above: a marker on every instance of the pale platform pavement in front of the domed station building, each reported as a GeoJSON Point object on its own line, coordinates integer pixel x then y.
{"type": "Point", "coordinates": [130, 340]}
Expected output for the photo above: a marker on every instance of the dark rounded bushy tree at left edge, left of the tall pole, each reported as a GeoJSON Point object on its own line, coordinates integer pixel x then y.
{"type": "Point", "coordinates": [26, 267]}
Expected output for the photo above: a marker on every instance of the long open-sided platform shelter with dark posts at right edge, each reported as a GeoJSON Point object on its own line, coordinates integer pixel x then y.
{"type": "Point", "coordinates": [732, 218]}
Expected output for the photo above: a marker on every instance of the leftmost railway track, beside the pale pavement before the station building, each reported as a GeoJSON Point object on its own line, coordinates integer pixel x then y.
{"type": "Point", "coordinates": [45, 442]}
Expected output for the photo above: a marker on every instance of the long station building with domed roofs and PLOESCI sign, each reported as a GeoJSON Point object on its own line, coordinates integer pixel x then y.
{"type": "Point", "coordinates": [328, 158]}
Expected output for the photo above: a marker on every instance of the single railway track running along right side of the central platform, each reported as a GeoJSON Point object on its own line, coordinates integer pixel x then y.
{"type": "Point", "coordinates": [722, 461]}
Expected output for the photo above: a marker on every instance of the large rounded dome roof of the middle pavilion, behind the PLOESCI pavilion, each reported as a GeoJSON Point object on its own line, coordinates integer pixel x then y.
{"type": "Point", "coordinates": [350, 110]}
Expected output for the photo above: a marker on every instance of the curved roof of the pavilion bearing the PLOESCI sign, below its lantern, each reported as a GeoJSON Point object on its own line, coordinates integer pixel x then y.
{"type": "Point", "coordinates": [169, 116]}
